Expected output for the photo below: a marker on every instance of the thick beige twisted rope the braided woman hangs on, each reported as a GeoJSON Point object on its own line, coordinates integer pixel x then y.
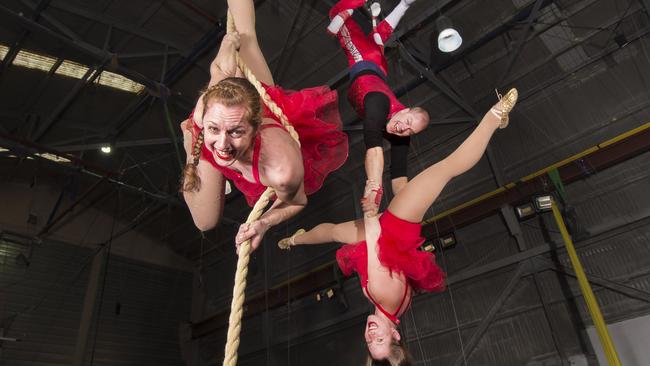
{"type": "Point", "coordinates": [238, 294]}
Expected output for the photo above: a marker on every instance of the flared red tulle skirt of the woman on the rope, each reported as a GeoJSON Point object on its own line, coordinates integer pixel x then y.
{"type": "Point", "coordinates": [314, 113]}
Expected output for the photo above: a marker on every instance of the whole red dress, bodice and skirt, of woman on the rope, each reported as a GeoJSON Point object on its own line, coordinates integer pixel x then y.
{"type": "Point", "coordinates": [314, 114]}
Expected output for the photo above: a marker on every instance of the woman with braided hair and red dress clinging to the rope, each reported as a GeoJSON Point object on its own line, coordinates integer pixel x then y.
{"type": "Point", "coordinates": [232, 135]}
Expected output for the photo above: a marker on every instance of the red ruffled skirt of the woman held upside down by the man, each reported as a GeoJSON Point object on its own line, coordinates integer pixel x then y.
{"type": "Point", "coordinates": [398, 251]}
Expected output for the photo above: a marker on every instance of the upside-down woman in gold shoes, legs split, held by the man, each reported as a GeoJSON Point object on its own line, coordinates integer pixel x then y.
{"type": "Point", "coordinates": [385, 249]}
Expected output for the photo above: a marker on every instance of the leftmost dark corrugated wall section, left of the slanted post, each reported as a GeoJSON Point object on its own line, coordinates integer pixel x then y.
{"type": "Point", "coordinates": [41, 303]}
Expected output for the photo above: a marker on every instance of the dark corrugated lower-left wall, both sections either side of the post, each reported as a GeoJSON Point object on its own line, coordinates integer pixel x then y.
{"type": "Point", "coordinates": [41, 305]}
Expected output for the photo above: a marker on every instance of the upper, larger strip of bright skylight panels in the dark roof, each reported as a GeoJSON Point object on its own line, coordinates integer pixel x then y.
{"type": "Point", "coordinates": [70, 69]}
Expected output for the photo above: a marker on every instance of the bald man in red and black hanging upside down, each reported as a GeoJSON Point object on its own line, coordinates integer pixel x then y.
{"type": "Point", "coordinates": [382, 113]}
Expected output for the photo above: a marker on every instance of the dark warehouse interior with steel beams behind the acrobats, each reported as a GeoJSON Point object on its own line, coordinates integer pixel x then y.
{"type": "Point", "coordinates": [101, 263]}
